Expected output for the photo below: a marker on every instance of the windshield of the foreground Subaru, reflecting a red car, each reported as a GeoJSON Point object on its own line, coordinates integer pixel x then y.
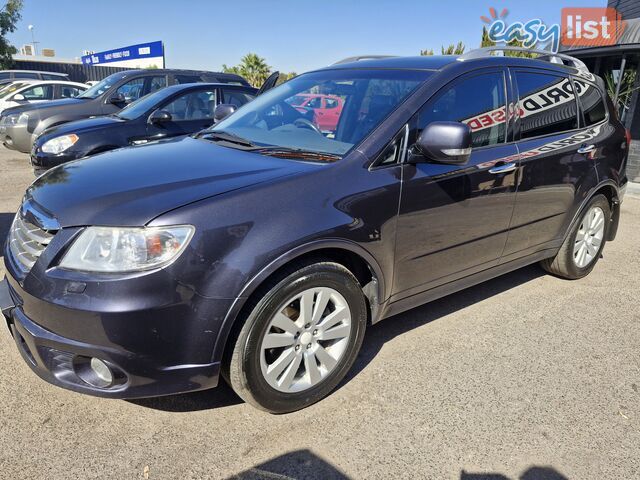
{"type": "Point", "coordinates": [327, 111]}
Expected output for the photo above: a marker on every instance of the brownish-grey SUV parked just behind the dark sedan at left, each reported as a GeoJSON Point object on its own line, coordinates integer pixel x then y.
{"type": "Point", "coordinates": [20, 126]}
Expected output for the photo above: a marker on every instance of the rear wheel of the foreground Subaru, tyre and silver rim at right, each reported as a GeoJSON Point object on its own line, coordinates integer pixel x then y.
{"type": "Point", "coordinates": [572, 263]}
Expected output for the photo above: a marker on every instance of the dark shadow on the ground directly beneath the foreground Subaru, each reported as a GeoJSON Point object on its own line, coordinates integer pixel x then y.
{"type": "Point", "coordinates": [376, 336]}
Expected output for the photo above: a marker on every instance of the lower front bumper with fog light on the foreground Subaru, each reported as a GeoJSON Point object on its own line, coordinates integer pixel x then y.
{"type": "Point", "coordinates": [62, 360]}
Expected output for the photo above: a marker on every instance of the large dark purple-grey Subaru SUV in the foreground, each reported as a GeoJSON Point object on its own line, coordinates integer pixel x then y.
{"type": "Point", "coordinates": [261, 248]}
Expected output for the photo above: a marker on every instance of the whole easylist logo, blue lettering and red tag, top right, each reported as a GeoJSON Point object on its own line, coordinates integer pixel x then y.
{"type": "Point", "coordinates": [580, 27]}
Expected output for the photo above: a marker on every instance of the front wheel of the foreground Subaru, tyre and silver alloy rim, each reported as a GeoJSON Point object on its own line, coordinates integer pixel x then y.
{"type": "Point", "coordinates": [252, 368]}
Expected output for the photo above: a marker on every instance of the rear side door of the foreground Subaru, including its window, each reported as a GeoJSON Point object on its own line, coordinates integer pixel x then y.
{"type": "Point", "coordinates": [552, 168]}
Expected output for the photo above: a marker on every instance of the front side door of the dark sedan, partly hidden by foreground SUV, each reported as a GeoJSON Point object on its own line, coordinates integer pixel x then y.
{"type": "Point", "coordinates": [190, 113]}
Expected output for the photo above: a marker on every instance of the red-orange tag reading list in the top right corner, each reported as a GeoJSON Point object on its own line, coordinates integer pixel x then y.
{"type": "Point", "coordinates": [591, 26]}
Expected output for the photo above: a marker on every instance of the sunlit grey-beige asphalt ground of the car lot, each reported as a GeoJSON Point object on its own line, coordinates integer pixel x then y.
{"type": "Point", "coordinates": [524, 377]}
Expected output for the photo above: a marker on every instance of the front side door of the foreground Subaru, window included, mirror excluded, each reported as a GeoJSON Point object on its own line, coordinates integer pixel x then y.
{"type": "Point", "coordinates": [454, 219]}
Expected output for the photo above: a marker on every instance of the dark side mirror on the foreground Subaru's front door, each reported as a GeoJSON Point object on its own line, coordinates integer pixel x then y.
{"type": "Point", "coordinates": [443, 142]}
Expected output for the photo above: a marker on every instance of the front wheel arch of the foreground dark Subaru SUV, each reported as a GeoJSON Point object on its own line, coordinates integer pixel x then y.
{"type": "Point", "coordinates": [350, 255]}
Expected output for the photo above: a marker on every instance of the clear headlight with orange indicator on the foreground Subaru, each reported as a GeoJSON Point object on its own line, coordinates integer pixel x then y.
{"type": "Point", "coordinates": [123, 249]}
